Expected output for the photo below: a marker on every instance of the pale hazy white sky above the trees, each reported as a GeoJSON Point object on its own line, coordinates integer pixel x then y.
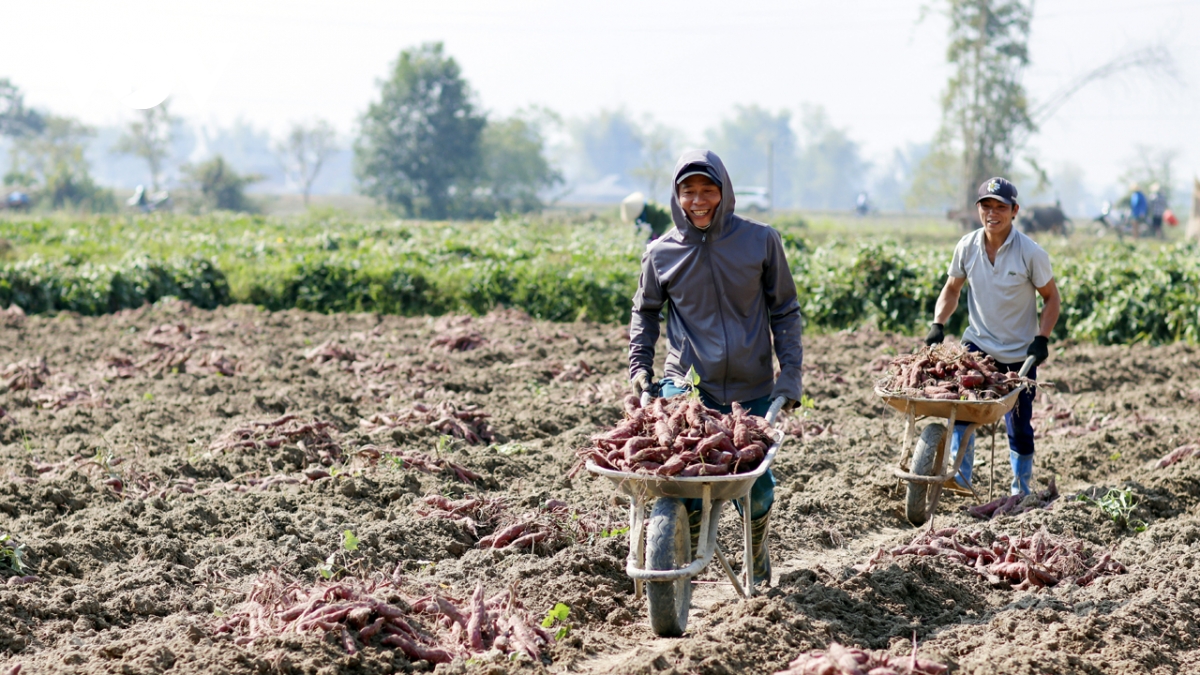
{"type": "Point", "coordinates": [873, 64]}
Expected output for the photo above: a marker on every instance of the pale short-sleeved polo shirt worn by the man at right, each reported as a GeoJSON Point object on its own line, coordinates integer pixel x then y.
{"type": "Point", "coordinates": [1003, 297]}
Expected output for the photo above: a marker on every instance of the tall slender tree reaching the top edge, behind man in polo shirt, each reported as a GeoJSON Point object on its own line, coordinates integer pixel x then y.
{"type": "Point", "coordinates": [986, 112]}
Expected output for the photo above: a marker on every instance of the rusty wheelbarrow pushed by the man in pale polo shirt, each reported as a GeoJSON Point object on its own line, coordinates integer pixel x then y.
{"type": "Point", "coordinates": [928, 474]}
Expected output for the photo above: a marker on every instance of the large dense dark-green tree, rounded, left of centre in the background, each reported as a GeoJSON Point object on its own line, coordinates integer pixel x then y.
{"type": "Point", "coordinates": [421, 144]}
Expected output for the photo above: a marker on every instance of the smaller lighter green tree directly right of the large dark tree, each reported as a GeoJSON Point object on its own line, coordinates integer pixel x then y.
{"type": "Point", "coordinates": [517, 169]}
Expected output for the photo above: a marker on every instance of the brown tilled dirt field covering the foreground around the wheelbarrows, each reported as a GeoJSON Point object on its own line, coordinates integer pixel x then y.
{"type": "Point", "coordinates": [147, 518]}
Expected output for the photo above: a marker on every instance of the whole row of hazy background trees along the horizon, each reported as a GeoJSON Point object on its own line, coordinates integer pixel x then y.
{"type": "Point", "coordinates": [427, 150]}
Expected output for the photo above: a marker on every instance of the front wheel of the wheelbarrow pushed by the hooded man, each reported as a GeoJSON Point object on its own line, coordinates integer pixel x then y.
{"type": "Point", "coordinates": [669, 547]}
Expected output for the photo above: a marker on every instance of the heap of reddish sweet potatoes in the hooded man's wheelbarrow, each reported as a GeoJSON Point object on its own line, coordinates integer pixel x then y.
{"type": "Point", "coordinates": [682, 438]}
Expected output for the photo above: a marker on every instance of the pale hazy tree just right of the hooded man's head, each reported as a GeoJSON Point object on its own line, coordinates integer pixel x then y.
{"type": "Point", "coordinates": [748, 139]}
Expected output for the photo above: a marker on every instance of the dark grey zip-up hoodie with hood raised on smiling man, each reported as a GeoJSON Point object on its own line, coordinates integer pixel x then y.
{"type": "Point", "coordinates": [728, 291]}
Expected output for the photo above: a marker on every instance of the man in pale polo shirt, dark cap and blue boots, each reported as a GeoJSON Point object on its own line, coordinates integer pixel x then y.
{"type": "Point", "coordinates": [1006, 272]}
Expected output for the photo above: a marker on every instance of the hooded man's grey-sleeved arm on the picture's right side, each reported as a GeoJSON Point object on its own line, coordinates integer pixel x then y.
{"type": "Point", "coordinates": [787, 326]}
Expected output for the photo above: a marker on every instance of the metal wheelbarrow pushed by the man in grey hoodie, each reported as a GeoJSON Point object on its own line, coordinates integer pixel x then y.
{"type": "Point", "coordinates": [661, 559]}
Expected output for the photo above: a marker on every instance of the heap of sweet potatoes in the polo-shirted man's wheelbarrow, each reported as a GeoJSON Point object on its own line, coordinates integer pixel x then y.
{"type": "Point", "coordinates": [947, 373]}
